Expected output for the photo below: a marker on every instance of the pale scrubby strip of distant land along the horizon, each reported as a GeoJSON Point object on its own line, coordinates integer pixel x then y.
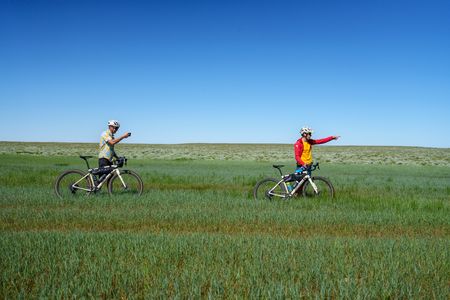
{"type": "Point", "coordinates": [253, 152]}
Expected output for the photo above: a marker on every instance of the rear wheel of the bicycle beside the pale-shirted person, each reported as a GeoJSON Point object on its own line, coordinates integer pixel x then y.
{"type": "Point", "coordinates": [64, 190]}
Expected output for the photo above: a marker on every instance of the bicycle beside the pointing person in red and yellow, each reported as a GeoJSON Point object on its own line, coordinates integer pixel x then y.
{"type": "Point", "coordinates": [292, 185]}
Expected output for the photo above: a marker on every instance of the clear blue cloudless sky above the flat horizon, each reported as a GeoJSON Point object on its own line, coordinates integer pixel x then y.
{"type": "Point", "coordinates": [373, 72]}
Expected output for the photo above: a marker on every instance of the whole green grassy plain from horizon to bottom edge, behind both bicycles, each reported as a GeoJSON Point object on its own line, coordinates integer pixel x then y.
{"type": "Point", "coordinates": [196, 231]}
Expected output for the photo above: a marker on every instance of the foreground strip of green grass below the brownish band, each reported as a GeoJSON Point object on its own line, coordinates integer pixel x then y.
{"type": "Point", "coordinates": [113, 265]}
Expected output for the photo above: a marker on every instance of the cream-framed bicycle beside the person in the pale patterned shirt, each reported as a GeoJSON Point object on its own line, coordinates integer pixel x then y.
{"type": "Point", "coordinates": [76, 183]}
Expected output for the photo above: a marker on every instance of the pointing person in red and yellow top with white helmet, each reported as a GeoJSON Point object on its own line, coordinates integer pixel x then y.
{"type": "Point", "coordinates": [303, 148]}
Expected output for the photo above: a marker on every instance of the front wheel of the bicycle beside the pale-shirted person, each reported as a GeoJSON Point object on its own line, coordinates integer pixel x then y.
{"type": "Point", "coordinates": [127, 183]}
